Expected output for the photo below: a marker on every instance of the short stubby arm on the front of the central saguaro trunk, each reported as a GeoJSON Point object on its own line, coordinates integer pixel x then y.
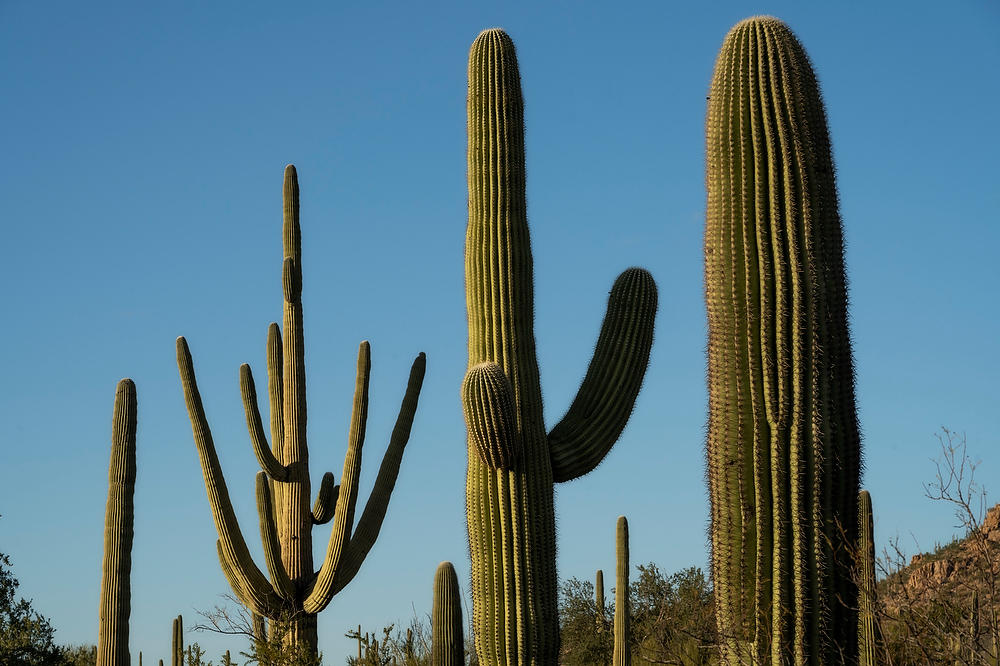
{"type": "Point", "coordinates": [488, 403]}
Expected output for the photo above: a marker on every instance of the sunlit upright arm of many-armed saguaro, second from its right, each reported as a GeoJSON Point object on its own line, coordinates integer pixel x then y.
{"type": "Point", "coordinates": [343, 518]}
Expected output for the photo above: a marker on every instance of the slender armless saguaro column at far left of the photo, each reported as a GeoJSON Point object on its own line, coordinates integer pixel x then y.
{"type": "Point", "coordinates": [115, 605]}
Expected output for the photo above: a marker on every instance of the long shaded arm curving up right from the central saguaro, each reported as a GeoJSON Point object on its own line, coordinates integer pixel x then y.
{"type": "Point", "coordinates": [595, 420]}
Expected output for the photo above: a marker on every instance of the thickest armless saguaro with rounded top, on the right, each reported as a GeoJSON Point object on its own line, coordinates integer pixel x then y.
{"type": "Point", "coordinates": [784, 453]}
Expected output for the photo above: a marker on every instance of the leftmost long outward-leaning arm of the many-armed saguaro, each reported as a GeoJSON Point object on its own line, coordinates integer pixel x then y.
{"type": "Point", "coordinates": [251, 580]}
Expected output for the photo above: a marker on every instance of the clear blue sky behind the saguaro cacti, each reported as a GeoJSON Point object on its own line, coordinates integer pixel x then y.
{"type": "Point", "coordinates": [142, 153]}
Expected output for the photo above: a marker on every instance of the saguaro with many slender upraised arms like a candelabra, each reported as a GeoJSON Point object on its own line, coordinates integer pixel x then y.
{"type": "Point", "coordinates": [295, 592]}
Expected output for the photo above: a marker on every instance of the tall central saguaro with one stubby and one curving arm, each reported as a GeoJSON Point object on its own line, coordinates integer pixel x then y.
{"type": "Point", "coordinates": [513, 463]}
